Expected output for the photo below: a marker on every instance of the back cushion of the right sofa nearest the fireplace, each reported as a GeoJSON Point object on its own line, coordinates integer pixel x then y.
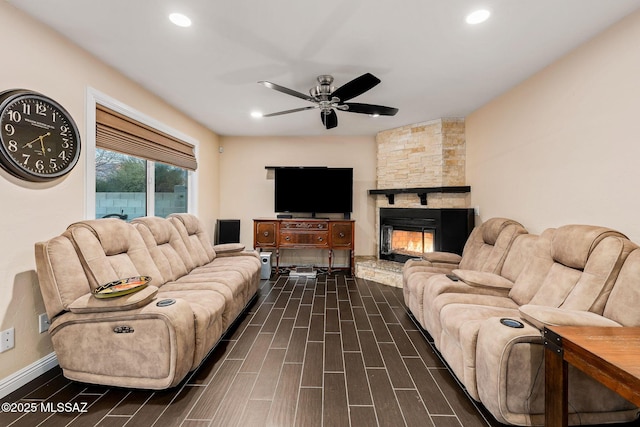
{"type": "Point", "coordinates": [488, 244]}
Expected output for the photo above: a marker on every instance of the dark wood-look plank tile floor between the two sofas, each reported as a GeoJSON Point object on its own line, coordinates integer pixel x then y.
{"type": "Point", "coordinates": [332, 351]}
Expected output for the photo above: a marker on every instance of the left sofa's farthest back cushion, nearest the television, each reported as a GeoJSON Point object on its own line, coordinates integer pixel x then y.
{"type": "Point", "coordinates": [195, 238]}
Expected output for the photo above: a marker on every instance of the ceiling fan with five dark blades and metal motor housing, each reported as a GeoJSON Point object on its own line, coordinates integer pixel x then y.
{"type": "Point", "coordinates": [329, 99]}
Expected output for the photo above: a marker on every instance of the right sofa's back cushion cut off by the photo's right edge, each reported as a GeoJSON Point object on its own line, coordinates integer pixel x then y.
{"type": "Point", "coordinates": [624, 300]}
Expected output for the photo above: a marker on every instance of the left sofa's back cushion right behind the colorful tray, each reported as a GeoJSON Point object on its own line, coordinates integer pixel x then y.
{"type": "Point", "coordinates": [111, 249]}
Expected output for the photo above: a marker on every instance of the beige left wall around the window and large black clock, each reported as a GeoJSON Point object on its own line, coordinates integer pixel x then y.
{"type": "Point", "coordinates": [38, 59]}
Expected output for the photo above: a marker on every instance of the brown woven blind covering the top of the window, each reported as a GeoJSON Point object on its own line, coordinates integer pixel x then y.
{"type": "Point", "coordinates": [117, 132]}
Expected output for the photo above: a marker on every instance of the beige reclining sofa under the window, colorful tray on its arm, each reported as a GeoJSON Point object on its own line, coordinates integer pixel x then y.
{"type": "Point", "coordinates": [152, 338]}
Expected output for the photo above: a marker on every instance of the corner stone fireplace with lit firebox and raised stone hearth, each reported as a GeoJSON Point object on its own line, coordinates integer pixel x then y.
{"type": "Point", "coordinates": [422, 162]}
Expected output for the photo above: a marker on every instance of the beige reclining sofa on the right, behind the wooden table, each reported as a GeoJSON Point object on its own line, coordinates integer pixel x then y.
{"type": "Point", "coordinates": [572, 275]}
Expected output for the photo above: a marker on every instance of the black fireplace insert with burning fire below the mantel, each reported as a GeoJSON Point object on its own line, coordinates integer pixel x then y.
{"type": "Point", "coordinates": [407, 233]}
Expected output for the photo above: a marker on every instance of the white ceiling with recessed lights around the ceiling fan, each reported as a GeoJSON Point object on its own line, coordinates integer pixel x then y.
{"type": "Point", "coordinates": [431, 63]}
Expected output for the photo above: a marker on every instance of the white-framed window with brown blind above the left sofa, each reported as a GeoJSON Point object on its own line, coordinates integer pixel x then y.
{"type": "Point", "coordinates": [141, 167]}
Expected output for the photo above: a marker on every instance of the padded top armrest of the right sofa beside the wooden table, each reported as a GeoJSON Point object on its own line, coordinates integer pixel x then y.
{"type": "Point", "coordinates": [541, 316]}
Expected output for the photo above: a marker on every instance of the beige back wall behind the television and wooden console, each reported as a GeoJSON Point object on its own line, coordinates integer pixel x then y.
{"type": "Point", "coordinates": [247, 188]}
